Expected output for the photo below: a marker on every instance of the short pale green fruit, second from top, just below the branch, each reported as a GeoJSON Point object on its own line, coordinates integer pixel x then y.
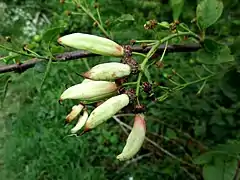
{"type": "Point", "coordinates": [108, 71]}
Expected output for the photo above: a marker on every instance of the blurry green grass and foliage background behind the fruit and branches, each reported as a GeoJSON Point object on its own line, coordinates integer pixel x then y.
{"type": "Point", "coordinates": [197, 127]}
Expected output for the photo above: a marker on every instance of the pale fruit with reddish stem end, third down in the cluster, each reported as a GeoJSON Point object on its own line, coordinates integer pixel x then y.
{"type": "Point", "coordinates": [89, 90]}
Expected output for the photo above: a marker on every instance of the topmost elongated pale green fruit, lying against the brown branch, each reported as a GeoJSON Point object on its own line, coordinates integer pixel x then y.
{"type": "Point", "coordinates": [94, 44]}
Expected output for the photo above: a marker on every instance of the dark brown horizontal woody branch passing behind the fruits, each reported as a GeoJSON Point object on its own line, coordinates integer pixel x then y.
{"type": "Point", "coordinates": [67, 56]}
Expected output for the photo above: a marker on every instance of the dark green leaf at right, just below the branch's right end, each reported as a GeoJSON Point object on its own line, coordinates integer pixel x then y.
{"type": "Point", "coordinates": [214, 53]}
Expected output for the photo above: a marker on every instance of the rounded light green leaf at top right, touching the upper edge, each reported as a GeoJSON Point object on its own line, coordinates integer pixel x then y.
{"type": "Point", "coordinates": [208, 12]}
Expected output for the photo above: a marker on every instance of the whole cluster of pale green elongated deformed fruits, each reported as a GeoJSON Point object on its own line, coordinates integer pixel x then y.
{"type": "Point", "coordinates": [99, 85]}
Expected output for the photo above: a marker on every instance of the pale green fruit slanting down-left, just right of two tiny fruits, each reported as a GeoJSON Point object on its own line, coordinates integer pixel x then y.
{"type": "Point", "coordinates": [106, 110]}
